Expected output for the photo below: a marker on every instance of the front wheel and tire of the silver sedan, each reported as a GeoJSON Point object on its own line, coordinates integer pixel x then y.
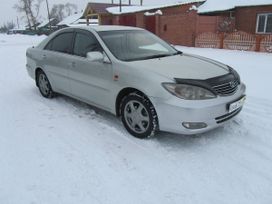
{"type": "Point", "coordinates": [139, 116]}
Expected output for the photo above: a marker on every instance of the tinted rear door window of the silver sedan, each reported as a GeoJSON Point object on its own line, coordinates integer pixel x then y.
{"type": "Point", "coordinates": [62, 43]}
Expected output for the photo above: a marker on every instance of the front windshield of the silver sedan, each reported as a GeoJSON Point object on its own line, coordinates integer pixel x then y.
{"type": "Point", "coordinates": [131, 45]}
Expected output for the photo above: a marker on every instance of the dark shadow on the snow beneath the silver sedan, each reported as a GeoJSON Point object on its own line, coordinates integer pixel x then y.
{"type": "Point", "coordinates": [163, 139]}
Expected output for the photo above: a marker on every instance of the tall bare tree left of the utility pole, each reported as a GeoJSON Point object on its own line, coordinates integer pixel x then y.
{"type": "Point", "coordinates": [31, 11]}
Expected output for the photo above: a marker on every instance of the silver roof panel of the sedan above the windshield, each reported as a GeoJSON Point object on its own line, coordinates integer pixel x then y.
{"type": "Point", "coordinates": [107, 28]}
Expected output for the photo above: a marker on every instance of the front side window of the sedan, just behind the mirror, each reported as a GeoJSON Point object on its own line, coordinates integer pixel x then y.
{"type": "Point", "coordinates": [85, 43]}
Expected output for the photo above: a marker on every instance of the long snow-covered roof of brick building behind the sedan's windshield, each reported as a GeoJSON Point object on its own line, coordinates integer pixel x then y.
{"type": "Point", "coordinates": [135, 9]}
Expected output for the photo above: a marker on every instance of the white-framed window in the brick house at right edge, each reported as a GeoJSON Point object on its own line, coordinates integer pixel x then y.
{"type": "Point", "coordinates": [264, 23]}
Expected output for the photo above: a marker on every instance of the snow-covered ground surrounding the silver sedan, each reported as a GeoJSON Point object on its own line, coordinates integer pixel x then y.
{"type": "Point", "coordinates": [63, 151]}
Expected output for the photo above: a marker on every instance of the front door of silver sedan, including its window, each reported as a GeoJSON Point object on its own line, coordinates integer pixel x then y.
{"type": "Point", "coordinates": [90, 81]}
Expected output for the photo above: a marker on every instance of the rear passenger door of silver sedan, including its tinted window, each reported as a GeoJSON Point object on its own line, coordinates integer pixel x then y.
{"type": "Point", "coordinates": [57, 60]}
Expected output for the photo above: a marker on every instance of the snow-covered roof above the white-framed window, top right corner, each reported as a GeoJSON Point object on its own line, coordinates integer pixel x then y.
{"type": "Point", "coordinates": [212, 6]}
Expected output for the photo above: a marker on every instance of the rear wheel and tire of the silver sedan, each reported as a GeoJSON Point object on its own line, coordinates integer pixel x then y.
{"type": "Point", "coordinates": [44, 85]}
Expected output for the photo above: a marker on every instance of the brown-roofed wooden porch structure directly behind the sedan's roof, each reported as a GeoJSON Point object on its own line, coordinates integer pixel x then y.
{"type": "Point", "coordinates": [97, 12]}
